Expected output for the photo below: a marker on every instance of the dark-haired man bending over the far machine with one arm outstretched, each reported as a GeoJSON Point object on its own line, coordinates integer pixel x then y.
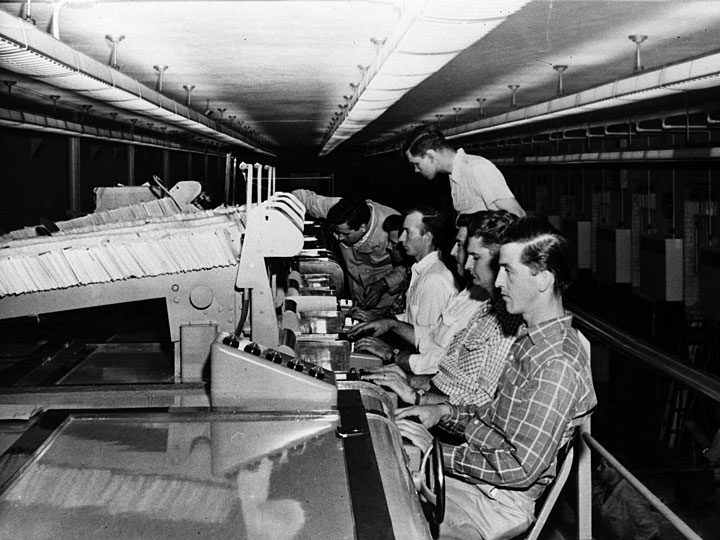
{"type": "Point", "coordinates": [357, 224]}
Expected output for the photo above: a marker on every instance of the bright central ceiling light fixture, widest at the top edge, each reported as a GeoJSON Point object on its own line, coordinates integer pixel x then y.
{"type": "Point", "coordinates": [428, 36]}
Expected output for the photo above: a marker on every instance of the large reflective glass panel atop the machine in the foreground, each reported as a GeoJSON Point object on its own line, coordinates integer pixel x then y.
{"type": "Point", "coordinates": [221, 477]}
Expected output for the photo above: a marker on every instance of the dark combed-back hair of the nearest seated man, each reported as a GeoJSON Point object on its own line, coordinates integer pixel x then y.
{"type": "Point", "coordinates": [545, 249]}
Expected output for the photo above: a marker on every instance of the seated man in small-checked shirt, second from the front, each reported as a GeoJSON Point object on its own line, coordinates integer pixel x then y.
{"type": "Point", "coordinates": [470, 369]}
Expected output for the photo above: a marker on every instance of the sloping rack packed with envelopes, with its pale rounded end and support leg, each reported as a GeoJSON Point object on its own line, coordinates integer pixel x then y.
{"type": "Point", "coordinates": [202, 263]}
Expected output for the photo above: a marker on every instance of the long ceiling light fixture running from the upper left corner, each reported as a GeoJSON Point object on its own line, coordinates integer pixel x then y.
{"type": "Point", "coordinates": [26, 50]}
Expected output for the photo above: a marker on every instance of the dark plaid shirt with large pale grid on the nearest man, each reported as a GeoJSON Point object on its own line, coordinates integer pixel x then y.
{"type": "Point", "coordinates": [513, 442]}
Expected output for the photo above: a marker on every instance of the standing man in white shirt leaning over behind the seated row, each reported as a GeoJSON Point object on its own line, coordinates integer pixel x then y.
{"type": "Point", "coordinates": [475, 183]}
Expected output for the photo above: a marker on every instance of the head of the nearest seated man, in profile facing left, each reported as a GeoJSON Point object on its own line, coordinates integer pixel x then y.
{"type": "Point", "coordinates": [536, 266]}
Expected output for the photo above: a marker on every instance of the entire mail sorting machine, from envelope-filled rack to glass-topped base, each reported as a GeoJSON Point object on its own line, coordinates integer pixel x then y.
{"type": "Point", "coordinates": [248, 467]}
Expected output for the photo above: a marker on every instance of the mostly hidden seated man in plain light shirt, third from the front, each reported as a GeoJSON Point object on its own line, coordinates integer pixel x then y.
{"type": "Point", "coordinates": [432, 345]}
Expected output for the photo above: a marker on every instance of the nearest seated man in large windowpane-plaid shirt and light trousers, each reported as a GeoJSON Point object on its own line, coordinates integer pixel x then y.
{"type": "Point", "coordinates": [511, 448]}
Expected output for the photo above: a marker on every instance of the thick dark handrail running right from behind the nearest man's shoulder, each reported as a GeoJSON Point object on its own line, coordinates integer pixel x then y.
{"type": "Point", "coordinates": [696, 379]}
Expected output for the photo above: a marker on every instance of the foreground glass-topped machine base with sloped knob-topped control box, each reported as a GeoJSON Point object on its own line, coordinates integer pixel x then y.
{"type": "Point", "coordinates": [289, 450]}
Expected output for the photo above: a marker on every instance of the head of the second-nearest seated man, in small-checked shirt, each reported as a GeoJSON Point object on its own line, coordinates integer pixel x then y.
{"type": "Point", "coordinates": [485, 235]}
